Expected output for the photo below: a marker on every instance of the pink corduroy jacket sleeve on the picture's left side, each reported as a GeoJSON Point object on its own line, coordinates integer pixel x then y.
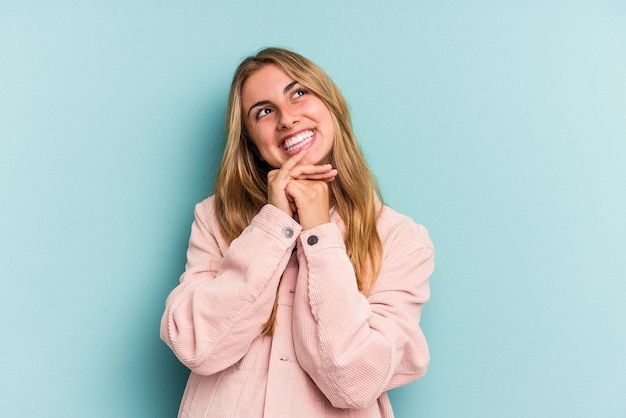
{"type": "Point", "coordinates": [212, 317]}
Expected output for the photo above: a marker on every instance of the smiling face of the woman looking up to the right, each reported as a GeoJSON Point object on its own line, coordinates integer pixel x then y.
{"type": "Point", "coordinates": [283, 118]}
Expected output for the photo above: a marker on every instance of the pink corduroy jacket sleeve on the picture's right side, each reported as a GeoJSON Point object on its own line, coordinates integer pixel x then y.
{"type": "Point", "coordinates": [356, 347]}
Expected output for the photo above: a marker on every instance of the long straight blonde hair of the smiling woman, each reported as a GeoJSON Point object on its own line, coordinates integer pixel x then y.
{"type": "Point", "coordinates": [241, 184]}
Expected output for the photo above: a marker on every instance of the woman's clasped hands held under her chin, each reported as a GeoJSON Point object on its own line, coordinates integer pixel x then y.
{"type": "Point", "coordinates": [302, 190]}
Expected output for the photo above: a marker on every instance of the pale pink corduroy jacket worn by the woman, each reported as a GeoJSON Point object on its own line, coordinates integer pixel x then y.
{"type": "Point", "coordinates": [334, 352]}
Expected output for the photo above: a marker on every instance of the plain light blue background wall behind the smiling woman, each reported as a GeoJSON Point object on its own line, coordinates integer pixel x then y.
{"type": "Point", "coordinates": [499, 125]}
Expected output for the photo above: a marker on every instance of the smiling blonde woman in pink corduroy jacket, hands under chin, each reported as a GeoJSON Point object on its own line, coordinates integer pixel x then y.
{"type": "Point", "coordinates": [302, 292]}
